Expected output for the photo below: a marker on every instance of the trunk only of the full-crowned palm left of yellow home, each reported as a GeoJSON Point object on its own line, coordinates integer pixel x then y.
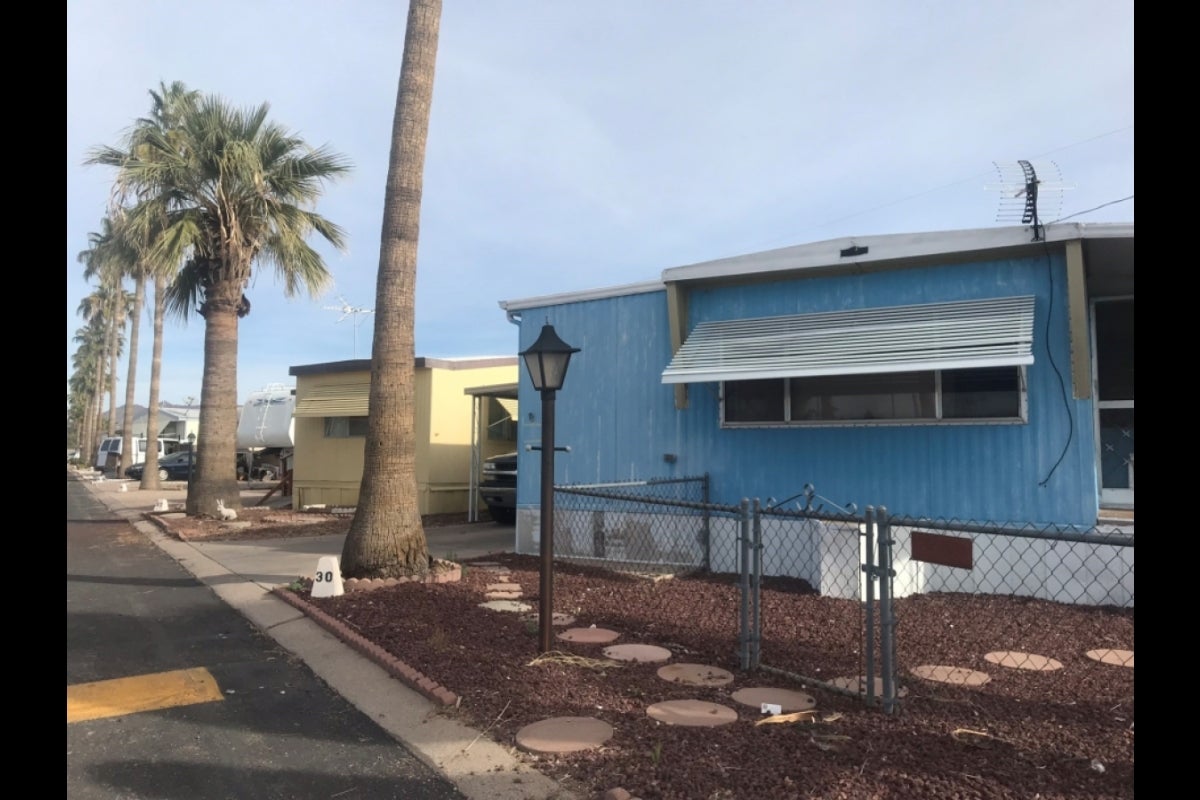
{"type": "Point", "coordinates": [215, 476]}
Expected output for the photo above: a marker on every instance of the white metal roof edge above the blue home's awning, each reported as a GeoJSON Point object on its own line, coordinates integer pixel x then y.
{"type": "Point", "coordinates": [887, 248]}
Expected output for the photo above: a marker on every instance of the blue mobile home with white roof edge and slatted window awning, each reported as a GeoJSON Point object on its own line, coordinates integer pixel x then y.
{"type": "Point", "coordinates": [965, 375]}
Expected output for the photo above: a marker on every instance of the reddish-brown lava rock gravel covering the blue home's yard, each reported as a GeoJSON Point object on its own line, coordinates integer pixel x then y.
{"type": "Point", "coordinates": [1054, 736]}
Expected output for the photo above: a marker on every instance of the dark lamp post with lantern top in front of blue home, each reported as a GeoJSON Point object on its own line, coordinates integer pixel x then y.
{"type": "Point", "coordinates": [547, 362]}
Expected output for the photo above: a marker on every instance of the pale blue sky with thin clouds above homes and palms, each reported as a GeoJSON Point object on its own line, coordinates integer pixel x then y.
{"type": "Point", "coordinates": [596, 143]}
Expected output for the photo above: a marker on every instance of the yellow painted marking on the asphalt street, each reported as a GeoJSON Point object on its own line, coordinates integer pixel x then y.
{"type": "Point", "coordinates": [122, 696]}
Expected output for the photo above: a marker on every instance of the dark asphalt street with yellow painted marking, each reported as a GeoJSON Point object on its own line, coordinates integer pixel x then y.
{"type": "Point", "coordinates": [175, 695]}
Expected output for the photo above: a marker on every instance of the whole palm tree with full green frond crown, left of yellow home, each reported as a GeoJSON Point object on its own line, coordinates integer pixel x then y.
{"type": "Point", "coordinates": [232, 190]}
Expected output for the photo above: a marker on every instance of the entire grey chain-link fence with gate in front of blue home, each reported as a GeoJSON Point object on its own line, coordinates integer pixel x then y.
{"type": "Point", "coordinates": [877, 605]}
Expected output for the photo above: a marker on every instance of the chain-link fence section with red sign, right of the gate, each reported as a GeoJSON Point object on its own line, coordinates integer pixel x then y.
{"type": "Point", "coordinates": [1012, 606]}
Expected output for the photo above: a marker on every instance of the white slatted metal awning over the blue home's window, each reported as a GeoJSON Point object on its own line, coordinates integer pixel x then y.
{"type": "Point", "coordinates": [899, 339]}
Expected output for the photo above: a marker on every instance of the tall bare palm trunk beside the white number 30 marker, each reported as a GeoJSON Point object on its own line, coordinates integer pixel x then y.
{"type": "Point", "coordinates": [387, 538]}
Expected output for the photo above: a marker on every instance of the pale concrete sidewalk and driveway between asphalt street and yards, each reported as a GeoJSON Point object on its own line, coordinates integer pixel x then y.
{"type": "Point", "coordinates": [243, 575]}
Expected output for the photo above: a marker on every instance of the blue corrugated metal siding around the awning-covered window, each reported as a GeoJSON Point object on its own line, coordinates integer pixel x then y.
{"type": "Point", "coordinates": [620, 420]}
